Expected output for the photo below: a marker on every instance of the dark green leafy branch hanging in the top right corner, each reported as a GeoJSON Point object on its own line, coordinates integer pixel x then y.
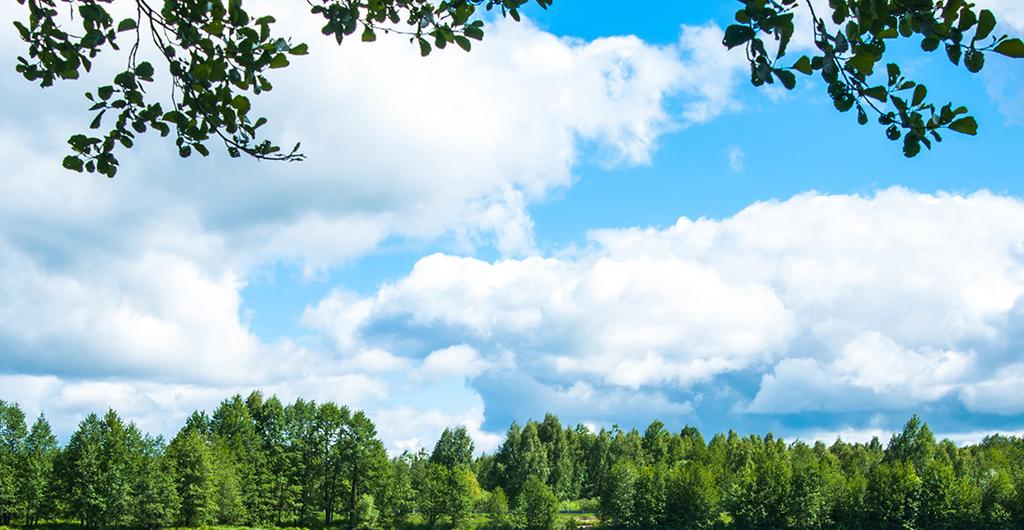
{"type": "Point", "coordinates": [855, 40]}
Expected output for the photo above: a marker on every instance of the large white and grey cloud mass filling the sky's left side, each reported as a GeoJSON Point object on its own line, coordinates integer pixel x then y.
{"type": "Point", "coordinates": [126, 293]}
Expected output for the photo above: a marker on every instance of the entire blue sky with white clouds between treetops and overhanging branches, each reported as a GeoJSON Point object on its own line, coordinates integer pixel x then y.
{"type": "Point", "coordinates": [592, 214]}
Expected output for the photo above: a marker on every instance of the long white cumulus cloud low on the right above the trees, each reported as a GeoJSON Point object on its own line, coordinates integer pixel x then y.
{"type": "Point", "coordinates": [842, 303]}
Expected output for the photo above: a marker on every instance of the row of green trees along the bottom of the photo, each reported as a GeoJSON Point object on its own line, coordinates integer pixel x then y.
{"type": "Point", "coordinates": [258, 462]}
